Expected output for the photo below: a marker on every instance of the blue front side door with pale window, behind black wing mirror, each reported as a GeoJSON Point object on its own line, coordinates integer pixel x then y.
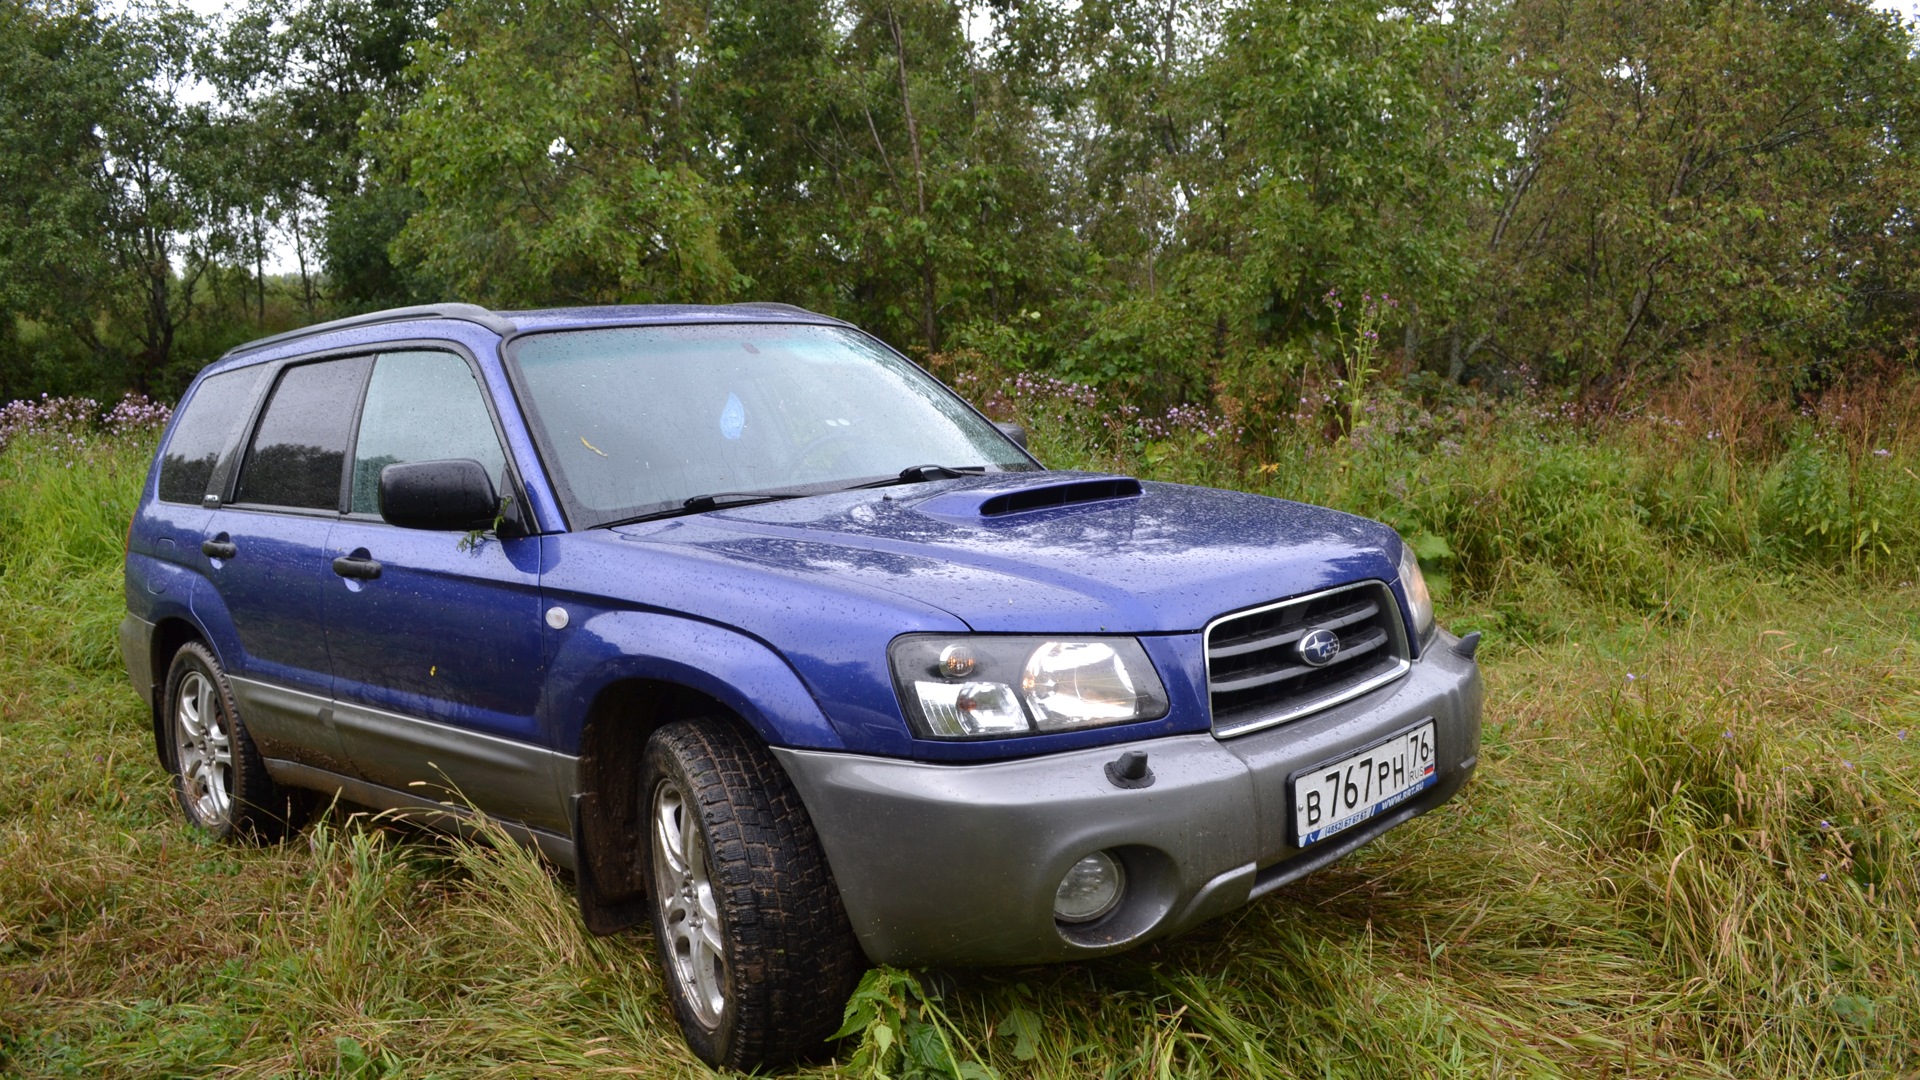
{"type": "Point", "coordinates": [437, 652]}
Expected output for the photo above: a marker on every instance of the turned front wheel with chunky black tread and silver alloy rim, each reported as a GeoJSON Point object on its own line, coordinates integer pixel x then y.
{"type": "Point", "coordinates": [756, 948]}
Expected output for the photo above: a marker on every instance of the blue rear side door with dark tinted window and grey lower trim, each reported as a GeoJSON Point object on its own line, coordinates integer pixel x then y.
{"type": "Point", "coordinates": [268, 566]}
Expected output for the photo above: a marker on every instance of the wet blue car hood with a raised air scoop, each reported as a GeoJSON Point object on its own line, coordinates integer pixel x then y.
{"type": "Point", "coordinates": [1049, 552]}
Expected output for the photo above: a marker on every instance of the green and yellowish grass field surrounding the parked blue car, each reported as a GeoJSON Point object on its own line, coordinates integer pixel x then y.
{"type": "Point", "coordinates": [1691, 848]}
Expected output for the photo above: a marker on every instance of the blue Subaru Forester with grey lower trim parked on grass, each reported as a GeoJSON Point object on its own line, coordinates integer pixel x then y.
{"type": "Point", "coordinates": [773, 641]}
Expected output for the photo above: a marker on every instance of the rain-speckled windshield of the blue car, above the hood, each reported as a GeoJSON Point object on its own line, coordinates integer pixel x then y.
{"type": "Point", "coordinates": [640, 420]}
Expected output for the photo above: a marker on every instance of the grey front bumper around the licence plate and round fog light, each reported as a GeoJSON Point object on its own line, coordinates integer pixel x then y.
{"type": "Point", "coordinates": [959, 864]}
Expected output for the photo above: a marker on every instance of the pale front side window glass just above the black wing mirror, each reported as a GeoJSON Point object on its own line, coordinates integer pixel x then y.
{"type": "Point", "coordinates": [421, 406]}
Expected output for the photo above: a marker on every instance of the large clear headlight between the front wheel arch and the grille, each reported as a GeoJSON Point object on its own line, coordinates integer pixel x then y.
{"type": "Point", "coordinates": [990, 687]}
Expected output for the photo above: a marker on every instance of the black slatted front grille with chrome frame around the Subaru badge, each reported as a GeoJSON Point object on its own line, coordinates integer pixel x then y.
{"type": "Point", "coordinates": [1257, 674]}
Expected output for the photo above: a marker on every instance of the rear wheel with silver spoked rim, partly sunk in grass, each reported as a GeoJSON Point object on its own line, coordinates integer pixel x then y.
{"type": "Point", "coordinates": [218, 775]}
